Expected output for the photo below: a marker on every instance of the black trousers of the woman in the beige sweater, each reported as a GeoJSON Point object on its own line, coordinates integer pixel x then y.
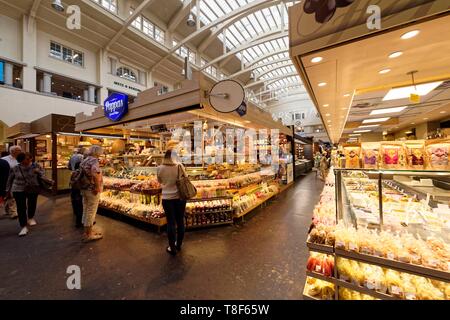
{"type": "Point", "coordinates": [174, 210]}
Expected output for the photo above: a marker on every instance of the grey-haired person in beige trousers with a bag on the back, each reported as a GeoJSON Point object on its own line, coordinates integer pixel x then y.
{"type": "Point", "coordinates": [90, 191]}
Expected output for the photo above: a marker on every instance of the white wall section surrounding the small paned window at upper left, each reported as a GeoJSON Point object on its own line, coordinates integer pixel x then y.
{"type": "Point", "coordinates": [85, 73]}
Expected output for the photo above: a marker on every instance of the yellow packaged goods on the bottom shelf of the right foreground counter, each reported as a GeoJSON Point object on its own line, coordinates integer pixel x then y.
{"type": "Point", "coordinates": [401, 285]}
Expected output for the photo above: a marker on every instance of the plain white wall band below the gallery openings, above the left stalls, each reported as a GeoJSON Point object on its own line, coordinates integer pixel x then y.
{"type": "Point", "coordinates": [30, 106]}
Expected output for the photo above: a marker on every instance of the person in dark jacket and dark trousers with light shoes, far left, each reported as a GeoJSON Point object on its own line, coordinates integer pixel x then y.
{"type": "Point", "coordinates": [23, 184]}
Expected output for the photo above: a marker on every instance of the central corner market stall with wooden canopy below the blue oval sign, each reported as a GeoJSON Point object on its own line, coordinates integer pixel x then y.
{"type": "Point", "coordinates": [232, 178]}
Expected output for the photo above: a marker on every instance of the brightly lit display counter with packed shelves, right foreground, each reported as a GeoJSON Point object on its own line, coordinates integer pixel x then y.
{"type": "Point", "coordinates": [372, 238]}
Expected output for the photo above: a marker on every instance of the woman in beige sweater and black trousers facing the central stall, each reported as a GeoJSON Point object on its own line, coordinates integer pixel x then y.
{"type": "Point", "coordinates": [174, 207]}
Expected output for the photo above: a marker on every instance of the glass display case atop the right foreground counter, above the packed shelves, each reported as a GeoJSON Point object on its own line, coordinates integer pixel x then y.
{"type": "Point", "coordinates": [395, 200]}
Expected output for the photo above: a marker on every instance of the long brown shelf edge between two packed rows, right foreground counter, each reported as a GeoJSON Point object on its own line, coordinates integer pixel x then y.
{"type": "Point", "coordinates": [396, 265]}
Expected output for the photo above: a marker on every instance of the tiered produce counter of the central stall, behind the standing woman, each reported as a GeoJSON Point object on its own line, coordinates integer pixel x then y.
{"type": "Point", "coordinates": [135, 192]}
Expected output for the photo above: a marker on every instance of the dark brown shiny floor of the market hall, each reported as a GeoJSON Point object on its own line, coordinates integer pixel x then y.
{"type": "Point", "coordinates": [261, 259]}
